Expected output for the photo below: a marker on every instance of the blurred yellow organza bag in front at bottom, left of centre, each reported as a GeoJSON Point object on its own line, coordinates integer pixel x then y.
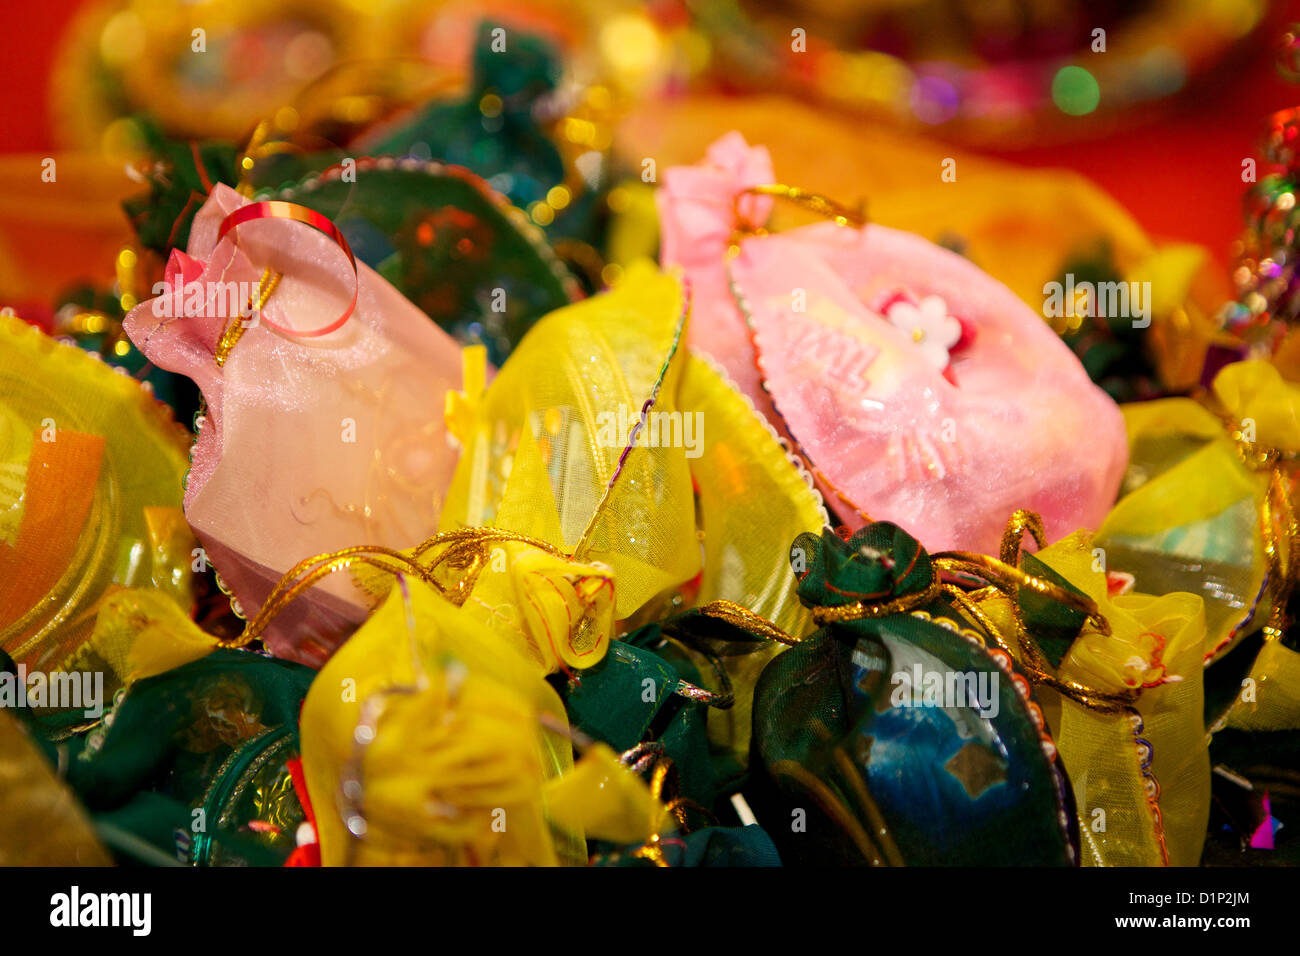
{"type": "Point", "coordinates": [428, 739]}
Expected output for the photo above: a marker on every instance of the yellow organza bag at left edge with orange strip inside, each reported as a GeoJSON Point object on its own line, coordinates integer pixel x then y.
{"type": "Point", "coordinates": [92, 473]}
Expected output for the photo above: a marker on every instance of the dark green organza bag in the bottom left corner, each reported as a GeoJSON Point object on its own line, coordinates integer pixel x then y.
{"type": "Point", "coordinates": [193, 765]}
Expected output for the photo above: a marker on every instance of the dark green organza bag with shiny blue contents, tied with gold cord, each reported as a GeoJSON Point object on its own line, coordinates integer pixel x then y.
{"type": "Point", "coordinates": [900, 732]}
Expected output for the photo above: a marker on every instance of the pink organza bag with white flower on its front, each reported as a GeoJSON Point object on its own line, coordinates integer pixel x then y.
{"type": "Point", "coordinates": [922, 391]}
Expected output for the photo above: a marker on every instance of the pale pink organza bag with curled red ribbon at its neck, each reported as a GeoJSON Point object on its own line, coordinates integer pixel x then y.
{"type": "Point", "coordinates": [324, 425]}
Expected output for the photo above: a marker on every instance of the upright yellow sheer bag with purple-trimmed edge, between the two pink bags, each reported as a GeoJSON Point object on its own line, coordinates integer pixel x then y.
{"type": "Point", "coordinates": [556, 409]}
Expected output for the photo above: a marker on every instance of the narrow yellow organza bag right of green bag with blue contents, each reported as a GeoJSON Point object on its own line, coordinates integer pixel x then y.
{"type": "Point", "coordinates": [1130, 816]}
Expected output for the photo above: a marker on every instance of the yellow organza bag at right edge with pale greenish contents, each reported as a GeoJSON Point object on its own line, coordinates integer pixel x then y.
{"type": "Point", "coordinates": [1208, 508]}
